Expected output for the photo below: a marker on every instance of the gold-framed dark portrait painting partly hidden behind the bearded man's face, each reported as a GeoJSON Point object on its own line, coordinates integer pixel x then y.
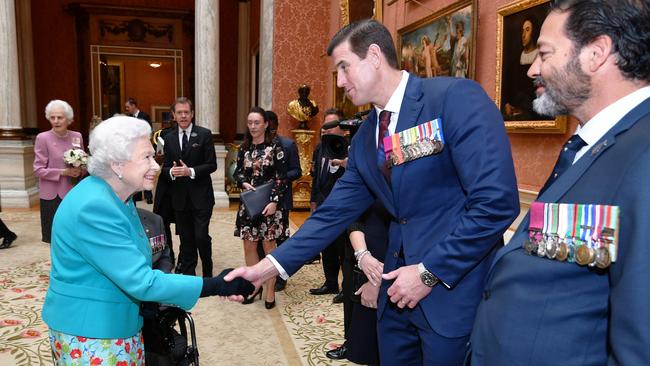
{"type": "Point", "coordinates": [518, 26]}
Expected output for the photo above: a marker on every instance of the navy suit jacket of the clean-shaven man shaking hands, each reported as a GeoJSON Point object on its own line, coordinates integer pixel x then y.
{"type": "Point", "coordinates": [449, 209]}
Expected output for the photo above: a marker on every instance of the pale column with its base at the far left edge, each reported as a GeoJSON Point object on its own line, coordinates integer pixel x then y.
{"type": "Point", "coordinates": [17, 181]}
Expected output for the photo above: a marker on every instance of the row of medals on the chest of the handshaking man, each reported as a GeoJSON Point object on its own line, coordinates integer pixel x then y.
{"type": "Point", "coordinates": [422, 140]}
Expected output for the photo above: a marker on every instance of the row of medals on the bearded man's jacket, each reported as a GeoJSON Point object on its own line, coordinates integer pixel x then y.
{"type": "Point", "coordinates": [582, 233]}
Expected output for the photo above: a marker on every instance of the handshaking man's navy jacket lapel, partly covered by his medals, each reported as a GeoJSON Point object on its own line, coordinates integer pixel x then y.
{"type": "Point", "coordinates": [408, 117]}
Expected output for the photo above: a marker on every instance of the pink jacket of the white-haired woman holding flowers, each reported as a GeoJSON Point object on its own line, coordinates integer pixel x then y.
{"type": "Point", "coordinates": [48, 162]}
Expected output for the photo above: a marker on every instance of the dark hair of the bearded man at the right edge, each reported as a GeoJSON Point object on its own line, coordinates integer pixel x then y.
{"type": "Point", "coordinates": [626, 22]}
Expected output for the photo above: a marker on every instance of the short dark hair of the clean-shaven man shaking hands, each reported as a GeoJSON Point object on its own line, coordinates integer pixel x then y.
{"type": "Point", "coordinates": [361, 34]}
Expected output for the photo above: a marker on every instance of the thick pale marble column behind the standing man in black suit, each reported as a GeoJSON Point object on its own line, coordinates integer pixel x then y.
{"type": "Point", "coordinates": [206, 72]}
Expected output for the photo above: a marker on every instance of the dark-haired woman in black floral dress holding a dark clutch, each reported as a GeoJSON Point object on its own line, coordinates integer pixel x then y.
{"type": "Point", "coordinates": [261, 160]}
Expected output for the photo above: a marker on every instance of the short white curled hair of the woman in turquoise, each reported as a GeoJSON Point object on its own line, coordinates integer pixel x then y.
{"type": "Point", "coordinates": [112, 141]}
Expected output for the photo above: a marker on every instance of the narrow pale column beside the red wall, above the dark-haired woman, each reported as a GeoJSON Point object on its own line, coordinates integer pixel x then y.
{"type": "Point", "coordinates": [266, 55]}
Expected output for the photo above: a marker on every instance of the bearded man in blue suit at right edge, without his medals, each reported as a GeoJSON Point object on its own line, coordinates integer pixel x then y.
{"type": "Point", "coordinates": [594, 64]}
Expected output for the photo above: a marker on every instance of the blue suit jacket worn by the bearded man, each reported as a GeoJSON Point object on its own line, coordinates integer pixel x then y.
{"type": "Point", "coordinates": [539, 311]}
